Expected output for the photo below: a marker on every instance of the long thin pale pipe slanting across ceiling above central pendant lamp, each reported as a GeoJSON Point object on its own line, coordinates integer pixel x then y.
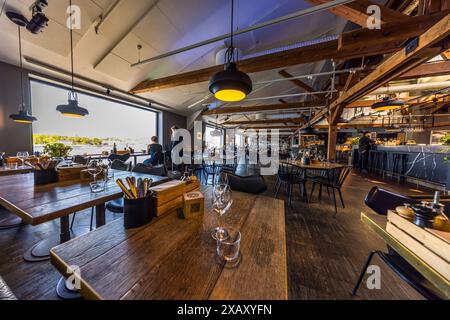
{"type": "Point", "coordinates": [294, 15]}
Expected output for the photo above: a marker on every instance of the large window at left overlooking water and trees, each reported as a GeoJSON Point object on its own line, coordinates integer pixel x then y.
{"type": "Point", "coordinates": [108, 122]}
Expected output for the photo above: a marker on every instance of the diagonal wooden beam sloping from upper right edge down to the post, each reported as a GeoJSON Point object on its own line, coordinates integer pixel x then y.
{"type": "Point", "coordinates": [398, 64]}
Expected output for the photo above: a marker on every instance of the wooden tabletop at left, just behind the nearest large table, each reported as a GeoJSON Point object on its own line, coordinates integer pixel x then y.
{"type": "Point", "coordinates": [39, 204]}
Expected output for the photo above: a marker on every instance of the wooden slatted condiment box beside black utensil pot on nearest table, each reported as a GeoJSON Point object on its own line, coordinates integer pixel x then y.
{"type": "Point", "coordinates": [169, 196]}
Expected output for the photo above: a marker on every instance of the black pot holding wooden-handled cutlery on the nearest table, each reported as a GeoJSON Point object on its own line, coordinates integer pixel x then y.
{"type": "Point", "coordinates": [138, 212]}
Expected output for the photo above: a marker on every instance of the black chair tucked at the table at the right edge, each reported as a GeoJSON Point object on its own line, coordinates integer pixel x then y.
{"type": "Point", "coordinates": [381, 201]}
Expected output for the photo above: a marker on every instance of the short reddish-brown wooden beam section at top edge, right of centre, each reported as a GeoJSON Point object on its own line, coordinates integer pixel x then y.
{"type": "Point", "coordinates": [356, 12]}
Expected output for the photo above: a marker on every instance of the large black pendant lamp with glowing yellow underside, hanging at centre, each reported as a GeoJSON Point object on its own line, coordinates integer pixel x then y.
{"type": "Point", "coordinates": [230, 85]}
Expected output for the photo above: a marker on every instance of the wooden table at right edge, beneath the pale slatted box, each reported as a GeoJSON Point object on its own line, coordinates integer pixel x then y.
{"type": "Point", "coordinates": [377, 224]}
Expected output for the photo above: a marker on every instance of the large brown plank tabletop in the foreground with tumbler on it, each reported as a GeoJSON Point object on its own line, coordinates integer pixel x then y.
{"type": "Point", "coordinates": [174, 258]}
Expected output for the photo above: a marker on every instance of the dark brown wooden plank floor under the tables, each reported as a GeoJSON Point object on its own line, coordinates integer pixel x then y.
{"type": "Point", "coordinates": [325, 253]}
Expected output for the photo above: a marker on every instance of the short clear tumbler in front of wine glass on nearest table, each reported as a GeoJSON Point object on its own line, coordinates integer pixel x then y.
{"type": "Point", "coordinates": [228, 250]}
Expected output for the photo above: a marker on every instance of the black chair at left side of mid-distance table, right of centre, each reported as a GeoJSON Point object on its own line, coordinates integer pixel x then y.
{"type": "Point", "coordinates": [290, 175]}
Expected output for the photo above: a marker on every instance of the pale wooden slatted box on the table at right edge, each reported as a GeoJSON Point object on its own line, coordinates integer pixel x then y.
{"type": "Point", "coordinates": [432, 246]}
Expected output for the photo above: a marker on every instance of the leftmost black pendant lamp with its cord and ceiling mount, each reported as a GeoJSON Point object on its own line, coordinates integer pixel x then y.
{"type": "Point", "coordinates": [22, 116]}
